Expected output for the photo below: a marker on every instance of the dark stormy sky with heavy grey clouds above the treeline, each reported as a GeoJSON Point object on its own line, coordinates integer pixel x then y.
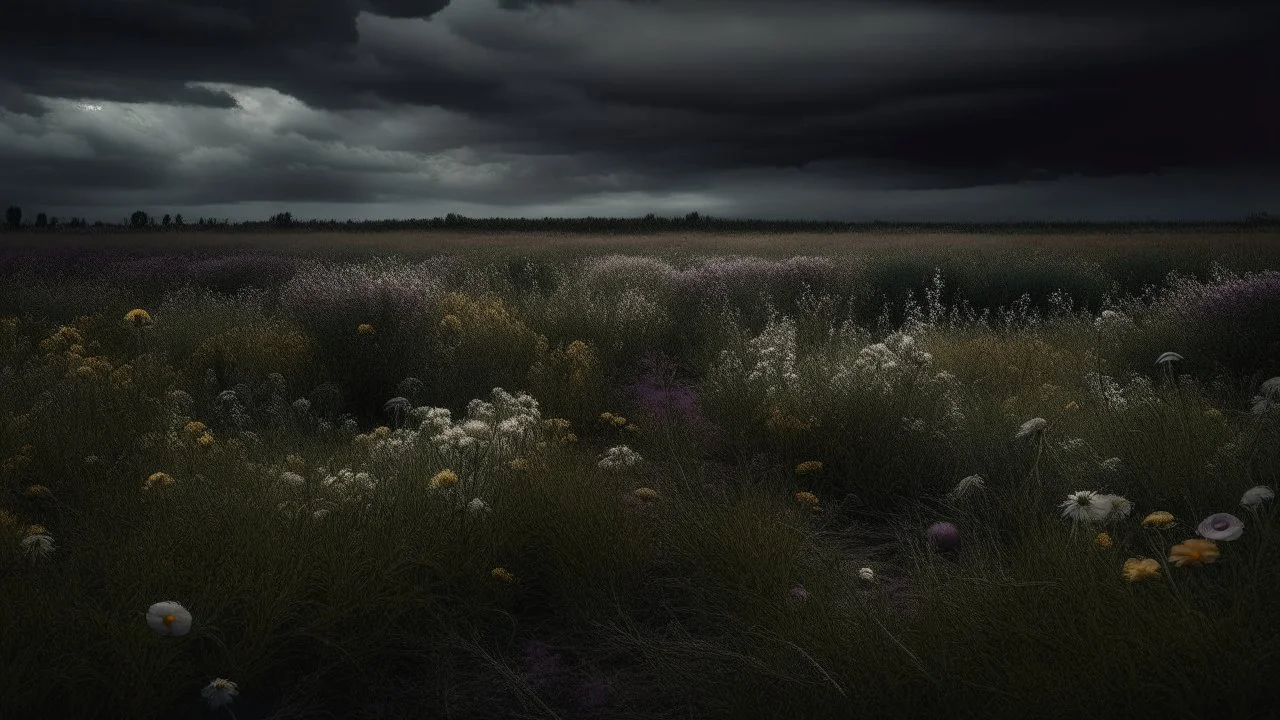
{"type": "Point", "coordinates": [849, 111]}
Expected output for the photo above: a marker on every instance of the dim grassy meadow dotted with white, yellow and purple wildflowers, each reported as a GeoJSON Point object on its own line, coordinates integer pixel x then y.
{"type": "Point", "coordinates": [679, 476]}
